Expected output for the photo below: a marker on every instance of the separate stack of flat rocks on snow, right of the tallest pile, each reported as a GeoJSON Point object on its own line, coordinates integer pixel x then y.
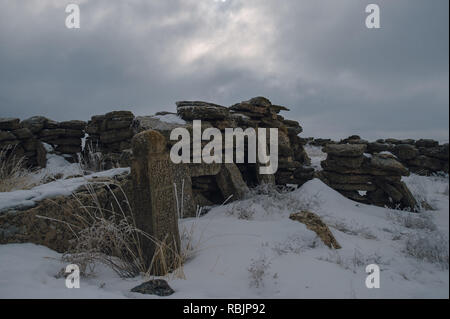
{"type": "Point", "coordinates": [372, 179]}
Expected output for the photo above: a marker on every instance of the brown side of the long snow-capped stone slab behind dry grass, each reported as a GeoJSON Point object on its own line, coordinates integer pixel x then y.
{"type": "Point", "coordinates": [30, 225]}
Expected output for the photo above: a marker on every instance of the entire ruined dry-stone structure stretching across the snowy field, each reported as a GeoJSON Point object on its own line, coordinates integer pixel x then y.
{"type": "Point", "coordinates": [160, 191]}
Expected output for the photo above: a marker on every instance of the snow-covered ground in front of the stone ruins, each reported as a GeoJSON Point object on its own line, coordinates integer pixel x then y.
{"type": "Point", "coordinates": [251, 249]}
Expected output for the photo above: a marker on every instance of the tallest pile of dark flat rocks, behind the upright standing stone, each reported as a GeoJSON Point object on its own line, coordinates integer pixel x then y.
{"type": "Point", "coordinates": [257, 112]}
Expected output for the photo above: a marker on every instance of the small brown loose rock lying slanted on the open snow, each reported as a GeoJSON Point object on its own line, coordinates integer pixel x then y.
{"type": "Point", "coordinates": [314, 223]}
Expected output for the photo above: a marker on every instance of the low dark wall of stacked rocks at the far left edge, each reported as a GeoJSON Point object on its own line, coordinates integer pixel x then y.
{"type": "Point", "coordinates": [25, 138]}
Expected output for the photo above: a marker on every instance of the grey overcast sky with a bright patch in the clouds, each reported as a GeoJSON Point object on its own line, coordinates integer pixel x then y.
{"type": "Point", "coordinates": [317, 57]}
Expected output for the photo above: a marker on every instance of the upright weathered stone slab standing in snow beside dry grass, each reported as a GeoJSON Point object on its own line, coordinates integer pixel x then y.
{"type": "Point", "coordinates": [153, 197]}
